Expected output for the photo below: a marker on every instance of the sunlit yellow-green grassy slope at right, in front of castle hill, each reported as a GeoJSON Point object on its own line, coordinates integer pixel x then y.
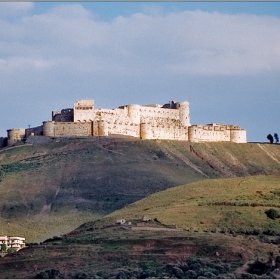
{"type": "Point", "coordinates": [215, 205]}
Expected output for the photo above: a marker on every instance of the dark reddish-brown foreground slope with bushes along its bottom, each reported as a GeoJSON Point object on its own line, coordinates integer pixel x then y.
{"type": "Point", "coordinates": [139, 254]}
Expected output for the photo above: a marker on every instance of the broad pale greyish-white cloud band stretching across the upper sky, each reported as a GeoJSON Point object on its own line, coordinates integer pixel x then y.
{"type": "Point", "coordinates": [185, 42]}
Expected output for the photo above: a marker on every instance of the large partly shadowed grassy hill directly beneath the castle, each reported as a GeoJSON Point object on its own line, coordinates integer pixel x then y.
{"type": "Point", "coordinates": [52, 188]}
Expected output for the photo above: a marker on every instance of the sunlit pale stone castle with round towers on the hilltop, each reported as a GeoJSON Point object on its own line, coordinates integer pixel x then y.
{"type": "Point", "coordinates": [170, 121]}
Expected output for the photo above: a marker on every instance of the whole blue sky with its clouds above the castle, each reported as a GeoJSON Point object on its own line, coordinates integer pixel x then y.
{"type": "Point", "coordinates": [221, 57]}
